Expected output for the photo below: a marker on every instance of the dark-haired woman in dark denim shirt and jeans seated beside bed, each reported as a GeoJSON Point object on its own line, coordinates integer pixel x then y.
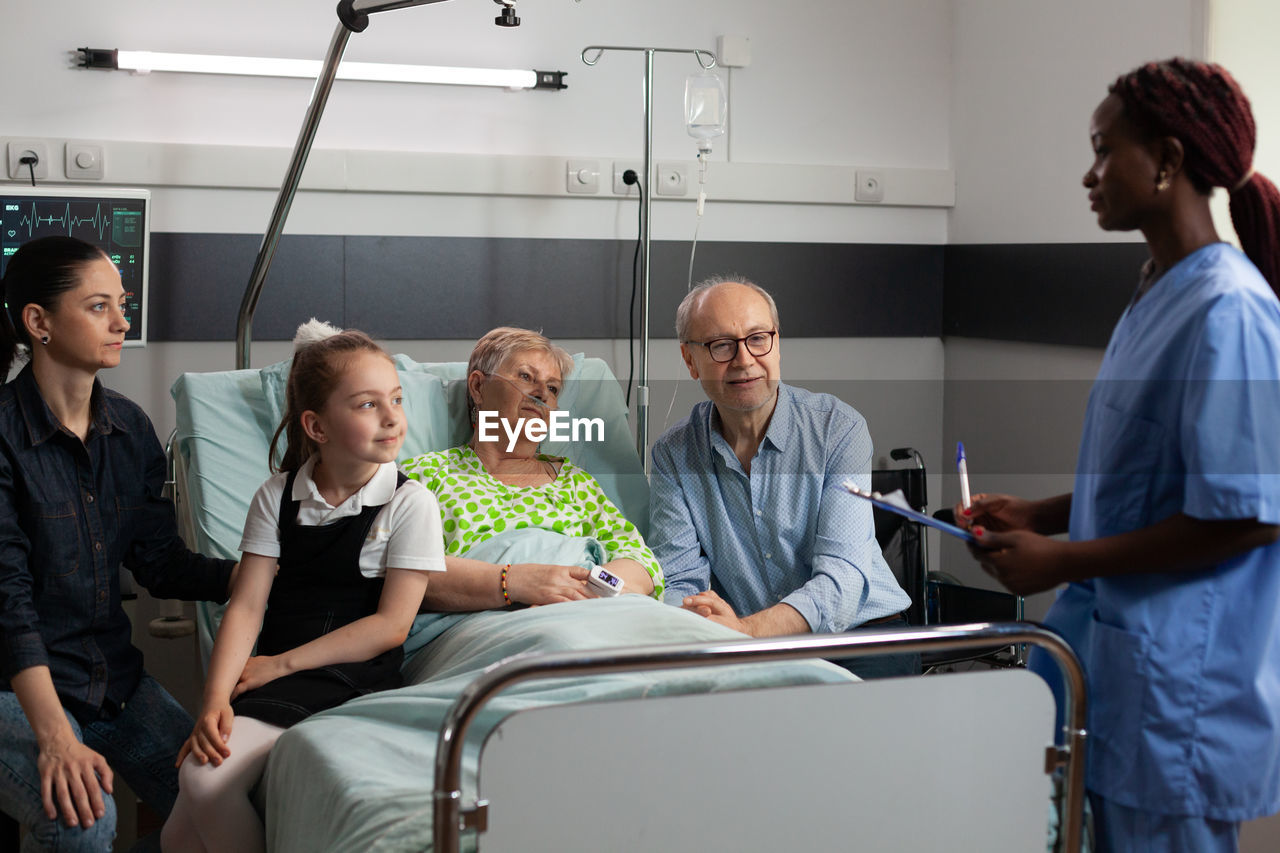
{"type": "Point", "coordinates": [81, 473]}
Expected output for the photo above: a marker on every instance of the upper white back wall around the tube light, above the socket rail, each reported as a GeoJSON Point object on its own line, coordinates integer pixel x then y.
{"type": "Point", "coordinates": [798, 86]}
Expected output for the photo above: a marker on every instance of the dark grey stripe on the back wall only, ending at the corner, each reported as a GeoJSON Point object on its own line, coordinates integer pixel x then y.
{"type": "Point", "coordinates": [456, 288]}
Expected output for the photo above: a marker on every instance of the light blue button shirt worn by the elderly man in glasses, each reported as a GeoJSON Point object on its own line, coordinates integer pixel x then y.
{"type": "Point", "coordinates": [788, 533]}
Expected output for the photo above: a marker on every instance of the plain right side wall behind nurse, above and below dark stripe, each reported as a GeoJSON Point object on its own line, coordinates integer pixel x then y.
{"type": "Point", "coordinates": [1026, 80]}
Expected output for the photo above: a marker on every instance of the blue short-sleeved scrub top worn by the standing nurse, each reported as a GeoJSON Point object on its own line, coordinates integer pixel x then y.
{"type": "Point", "coordinates": [1185, 668]}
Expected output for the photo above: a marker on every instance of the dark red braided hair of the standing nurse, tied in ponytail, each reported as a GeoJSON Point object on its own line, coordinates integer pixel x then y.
{"type": "Point", "coordinates": [1203, 106]}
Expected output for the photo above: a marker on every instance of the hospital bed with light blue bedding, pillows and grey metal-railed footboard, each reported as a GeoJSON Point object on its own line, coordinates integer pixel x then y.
{"type": "Point", "coordinates": [627, 724]}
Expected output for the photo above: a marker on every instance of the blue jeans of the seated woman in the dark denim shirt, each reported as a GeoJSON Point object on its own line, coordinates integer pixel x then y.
{"type": "Point", "coordinates": [140, 745]}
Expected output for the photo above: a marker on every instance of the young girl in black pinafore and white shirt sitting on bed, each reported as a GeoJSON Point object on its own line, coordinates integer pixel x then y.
{"type": "Point", "coordinates": [354, 541]}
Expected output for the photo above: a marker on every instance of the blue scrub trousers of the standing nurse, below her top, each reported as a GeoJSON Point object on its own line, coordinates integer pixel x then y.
{"type": "Point", "coordinates": [1119, 829]}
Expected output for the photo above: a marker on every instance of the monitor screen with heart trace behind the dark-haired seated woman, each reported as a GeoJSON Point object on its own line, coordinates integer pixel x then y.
{"type": "Point", "coordinates": [117, 221]}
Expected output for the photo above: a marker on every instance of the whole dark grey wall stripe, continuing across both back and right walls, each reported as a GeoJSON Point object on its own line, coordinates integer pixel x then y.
{"type": "Point", "coordinates": [460, 288]}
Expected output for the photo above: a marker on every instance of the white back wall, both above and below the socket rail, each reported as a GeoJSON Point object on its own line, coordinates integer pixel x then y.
{"type": "Point", "coordinates": [803, 101]}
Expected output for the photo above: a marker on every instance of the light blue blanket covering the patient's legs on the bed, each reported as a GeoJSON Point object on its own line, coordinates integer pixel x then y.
{"type": "Point", "coordinates": [360, 777]}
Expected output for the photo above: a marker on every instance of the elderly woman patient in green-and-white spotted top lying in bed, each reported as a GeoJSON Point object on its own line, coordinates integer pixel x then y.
{"type": "Point", "coordinates": [522, 527]}
